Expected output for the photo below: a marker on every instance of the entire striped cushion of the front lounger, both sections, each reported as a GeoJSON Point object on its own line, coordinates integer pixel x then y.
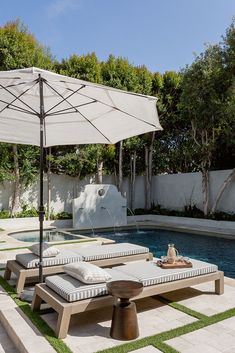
{"type": "Point", "coordinates": [146, 272]}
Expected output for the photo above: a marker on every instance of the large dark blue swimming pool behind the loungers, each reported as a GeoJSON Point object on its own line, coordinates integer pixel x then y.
{"type": "Point", "coordinates": [216, 250]}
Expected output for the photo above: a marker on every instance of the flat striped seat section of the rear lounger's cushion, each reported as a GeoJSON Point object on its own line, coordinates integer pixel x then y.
{"type": "Point", "coordinates": [91, 253]}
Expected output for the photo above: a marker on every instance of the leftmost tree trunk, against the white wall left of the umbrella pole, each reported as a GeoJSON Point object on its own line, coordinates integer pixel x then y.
{"type": "Point", "coordinates": [16, 191]}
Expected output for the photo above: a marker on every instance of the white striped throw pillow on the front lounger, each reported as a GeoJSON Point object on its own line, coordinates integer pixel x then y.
{"type": "Point", "coordinates": [87, 273]}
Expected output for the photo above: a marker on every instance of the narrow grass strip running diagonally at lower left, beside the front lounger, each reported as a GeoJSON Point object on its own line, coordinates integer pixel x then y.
{"type": "Point", "coordinates": [36, 319]}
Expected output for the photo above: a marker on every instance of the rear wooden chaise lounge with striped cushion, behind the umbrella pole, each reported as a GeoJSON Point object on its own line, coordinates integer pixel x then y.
{"type": "Point", "coordinates": [25, 267]}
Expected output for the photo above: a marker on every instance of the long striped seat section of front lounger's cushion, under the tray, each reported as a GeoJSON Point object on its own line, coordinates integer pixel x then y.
{"type": "Point", "coordinates": [149, 273]}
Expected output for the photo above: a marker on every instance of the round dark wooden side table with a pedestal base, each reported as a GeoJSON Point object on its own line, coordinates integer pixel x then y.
{"type": "Point", "coordinates": [124, 320]}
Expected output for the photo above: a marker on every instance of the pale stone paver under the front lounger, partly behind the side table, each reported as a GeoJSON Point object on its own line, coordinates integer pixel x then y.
{"type": "Point", "coordinates": [89, 332]}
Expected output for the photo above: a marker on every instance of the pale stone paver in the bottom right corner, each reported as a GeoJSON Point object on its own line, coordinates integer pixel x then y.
{"type": "Point", "coordinates": [216, 338]}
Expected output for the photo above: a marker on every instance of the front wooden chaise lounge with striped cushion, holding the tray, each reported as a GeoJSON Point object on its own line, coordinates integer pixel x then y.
{"type": "Point", "coordinates": [67, 295]}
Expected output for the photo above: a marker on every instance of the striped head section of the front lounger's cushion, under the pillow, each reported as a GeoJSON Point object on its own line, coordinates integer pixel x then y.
{"type": "Point", "coordinates": [72, 289]}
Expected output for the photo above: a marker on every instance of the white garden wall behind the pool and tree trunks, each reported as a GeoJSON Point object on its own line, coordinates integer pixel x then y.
{"type": "Point", "coordinates": [172, 191]}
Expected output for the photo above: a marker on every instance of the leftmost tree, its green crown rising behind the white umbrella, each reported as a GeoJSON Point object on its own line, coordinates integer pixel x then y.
{"type": "Point", "coordinates": [19, 49]}
